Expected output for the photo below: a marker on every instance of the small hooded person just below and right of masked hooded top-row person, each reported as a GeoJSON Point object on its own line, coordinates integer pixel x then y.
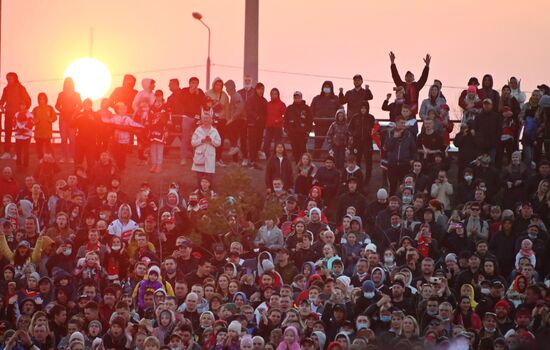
{"type": "Point", "coordinates": [338, 138]}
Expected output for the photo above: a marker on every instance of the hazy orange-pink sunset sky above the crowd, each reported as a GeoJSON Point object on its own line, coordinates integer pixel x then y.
{"type": "Point", "coordinates": [323, 38]}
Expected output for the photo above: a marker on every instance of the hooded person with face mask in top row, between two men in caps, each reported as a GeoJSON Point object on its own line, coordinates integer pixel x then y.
{"type": "Point", "coordinates": [323, 109]}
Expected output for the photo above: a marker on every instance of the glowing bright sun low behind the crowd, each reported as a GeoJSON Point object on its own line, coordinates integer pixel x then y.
{"type": "Point", "coordinates": [91, 77]}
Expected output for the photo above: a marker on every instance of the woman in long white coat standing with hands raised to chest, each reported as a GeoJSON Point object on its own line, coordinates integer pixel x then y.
{"type": "Point", "coordinates": [205, 140]}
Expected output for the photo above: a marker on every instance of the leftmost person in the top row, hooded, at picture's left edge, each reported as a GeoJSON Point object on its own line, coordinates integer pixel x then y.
{"type": "Point", "coordinates": [13, 96]}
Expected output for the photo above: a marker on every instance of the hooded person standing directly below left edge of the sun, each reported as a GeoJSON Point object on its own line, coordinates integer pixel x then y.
{"type": "Point", "coordinates": [68, 104]}
